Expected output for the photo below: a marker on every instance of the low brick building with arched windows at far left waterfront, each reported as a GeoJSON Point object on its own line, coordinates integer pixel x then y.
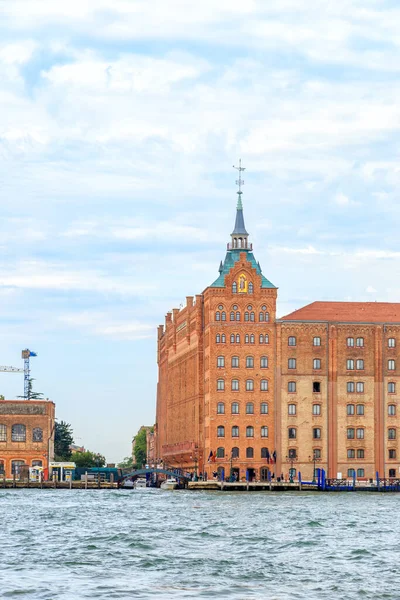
{"type": "Point", "coordinates": [26, 434]}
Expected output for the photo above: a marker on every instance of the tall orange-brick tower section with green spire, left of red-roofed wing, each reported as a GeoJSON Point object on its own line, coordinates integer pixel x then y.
{"type": "Point", "coordinates": [215, 401]}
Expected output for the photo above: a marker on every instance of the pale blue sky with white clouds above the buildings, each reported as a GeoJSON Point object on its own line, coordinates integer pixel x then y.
{"type": "Point", "coordinates": [119, 125]}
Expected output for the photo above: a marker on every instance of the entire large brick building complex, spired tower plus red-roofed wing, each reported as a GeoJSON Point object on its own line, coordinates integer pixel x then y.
{"type": "Point", "coordinates": [242, 391]}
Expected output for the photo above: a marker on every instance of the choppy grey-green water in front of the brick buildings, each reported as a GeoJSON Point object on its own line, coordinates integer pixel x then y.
{"type": "Point", "coordinates": [162, 544]}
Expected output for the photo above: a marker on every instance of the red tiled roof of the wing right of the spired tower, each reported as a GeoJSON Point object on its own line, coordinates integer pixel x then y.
{"type": "Point", "coordinates": [348, 312]}
